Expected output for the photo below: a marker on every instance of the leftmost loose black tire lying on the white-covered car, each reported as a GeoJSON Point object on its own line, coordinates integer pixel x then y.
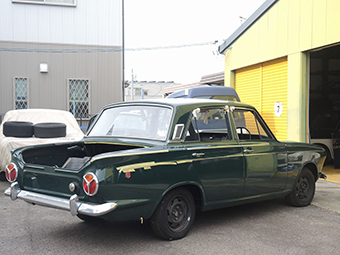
{"type": "Point", "coordinates": [18, 129]}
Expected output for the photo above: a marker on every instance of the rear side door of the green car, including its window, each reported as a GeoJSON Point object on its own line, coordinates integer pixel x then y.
{"type": "Point", "coordinates": [216, 157]}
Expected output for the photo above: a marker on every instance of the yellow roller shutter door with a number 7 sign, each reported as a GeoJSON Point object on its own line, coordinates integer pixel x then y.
{"type": "Point", "coordinates": [265, 87]}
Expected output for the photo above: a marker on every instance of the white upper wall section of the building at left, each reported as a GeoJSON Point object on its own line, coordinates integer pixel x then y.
{"type": "Point", "coordinates": [90, 22]}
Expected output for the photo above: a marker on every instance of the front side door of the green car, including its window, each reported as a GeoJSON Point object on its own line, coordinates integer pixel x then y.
{"type": "Point", "coordinates": [265, 157]}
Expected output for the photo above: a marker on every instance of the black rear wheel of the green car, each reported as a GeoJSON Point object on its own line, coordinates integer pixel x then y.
{"type": "Point", "coordinates": [175, 215]}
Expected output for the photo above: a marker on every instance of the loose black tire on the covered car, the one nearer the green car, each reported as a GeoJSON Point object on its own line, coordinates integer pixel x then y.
{"type": "Point", "coordinates": [49, 130]}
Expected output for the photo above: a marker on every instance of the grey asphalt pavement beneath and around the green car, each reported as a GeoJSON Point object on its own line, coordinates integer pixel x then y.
{"type": "Point", "coordinates": [270, 227]}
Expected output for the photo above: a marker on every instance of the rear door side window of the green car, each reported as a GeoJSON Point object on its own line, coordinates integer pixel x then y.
{"type": "Point", "coordinates": [208, 125]}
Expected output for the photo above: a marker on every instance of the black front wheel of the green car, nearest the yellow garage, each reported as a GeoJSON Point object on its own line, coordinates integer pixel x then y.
{"type": "Point", "coordinates": [304, 190]}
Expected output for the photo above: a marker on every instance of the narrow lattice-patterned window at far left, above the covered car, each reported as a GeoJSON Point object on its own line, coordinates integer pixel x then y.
{"type": "Point", "coordinates": [20, 93]}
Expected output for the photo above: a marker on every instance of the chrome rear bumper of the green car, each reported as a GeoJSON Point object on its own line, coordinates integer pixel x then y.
{"type": "Point", "coordinates": [73, 205]}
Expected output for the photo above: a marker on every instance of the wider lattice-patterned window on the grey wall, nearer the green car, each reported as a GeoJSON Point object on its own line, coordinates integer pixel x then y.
{"type": "Point", "coordinates": [78, 95]}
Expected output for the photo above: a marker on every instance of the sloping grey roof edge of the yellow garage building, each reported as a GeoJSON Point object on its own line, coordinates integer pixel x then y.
{"type": "Point", "coordinates": [247, 24]}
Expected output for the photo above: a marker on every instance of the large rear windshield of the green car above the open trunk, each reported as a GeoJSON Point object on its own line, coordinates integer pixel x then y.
{"type": "Point", "coordinates": [138, 121]}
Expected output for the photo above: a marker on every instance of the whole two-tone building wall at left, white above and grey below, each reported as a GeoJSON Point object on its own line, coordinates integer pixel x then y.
{"type": "Point", "coordinates": [42, 33]}
